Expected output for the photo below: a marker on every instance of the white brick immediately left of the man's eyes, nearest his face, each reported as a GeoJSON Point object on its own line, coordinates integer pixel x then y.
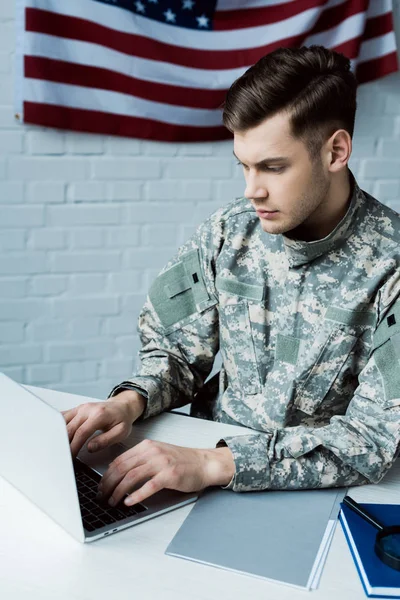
{"type": "Point", "coordinates": [197, 168]}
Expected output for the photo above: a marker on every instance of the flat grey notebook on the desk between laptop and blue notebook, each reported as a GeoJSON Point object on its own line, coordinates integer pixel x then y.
{"type": "Point", "coordinates": [278, 535]}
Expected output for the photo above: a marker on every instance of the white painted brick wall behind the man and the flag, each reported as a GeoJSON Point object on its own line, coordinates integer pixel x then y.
{"type": "Point", "coordinates": [87, 221]}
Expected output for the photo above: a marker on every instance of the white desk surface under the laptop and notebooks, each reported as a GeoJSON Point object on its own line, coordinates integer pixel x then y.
{"type": "Point", "coordinates": [40, 561]}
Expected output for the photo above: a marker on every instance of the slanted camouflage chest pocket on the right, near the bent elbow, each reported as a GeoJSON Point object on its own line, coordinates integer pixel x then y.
{"type": "Point", "coordinates": [336, 339]}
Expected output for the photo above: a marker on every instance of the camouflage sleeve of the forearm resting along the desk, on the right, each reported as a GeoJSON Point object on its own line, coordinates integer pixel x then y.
{"type": "Point", "coordinates": [355, 448]}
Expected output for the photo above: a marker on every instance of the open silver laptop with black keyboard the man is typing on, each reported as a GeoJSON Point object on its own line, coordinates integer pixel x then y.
{"type": "Point", "coordinates": [35, 458]}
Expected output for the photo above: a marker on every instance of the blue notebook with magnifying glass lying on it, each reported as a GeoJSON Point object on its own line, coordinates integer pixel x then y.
{"type": "Point", "coordinates": [379, 580]}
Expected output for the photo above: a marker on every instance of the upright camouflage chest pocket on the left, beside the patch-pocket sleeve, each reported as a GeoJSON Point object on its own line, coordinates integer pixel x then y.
{"type": "Point", "coordinates": [237, 342]}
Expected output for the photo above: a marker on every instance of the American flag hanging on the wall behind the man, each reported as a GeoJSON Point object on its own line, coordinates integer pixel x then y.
{"type": "Point", "coordinates": [160, 69]}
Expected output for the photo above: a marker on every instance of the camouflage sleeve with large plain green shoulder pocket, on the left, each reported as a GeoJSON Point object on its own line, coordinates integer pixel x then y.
{"type": "Point", "coordinates": [178, 325]}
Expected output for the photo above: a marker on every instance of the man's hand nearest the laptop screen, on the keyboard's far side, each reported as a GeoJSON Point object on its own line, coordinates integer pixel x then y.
{"type": "Point", "coordinates": [113, 417]}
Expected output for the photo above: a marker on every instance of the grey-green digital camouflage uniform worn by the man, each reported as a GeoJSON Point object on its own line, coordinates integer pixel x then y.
{"type": "Point", "coordinates": [309, 334]}
